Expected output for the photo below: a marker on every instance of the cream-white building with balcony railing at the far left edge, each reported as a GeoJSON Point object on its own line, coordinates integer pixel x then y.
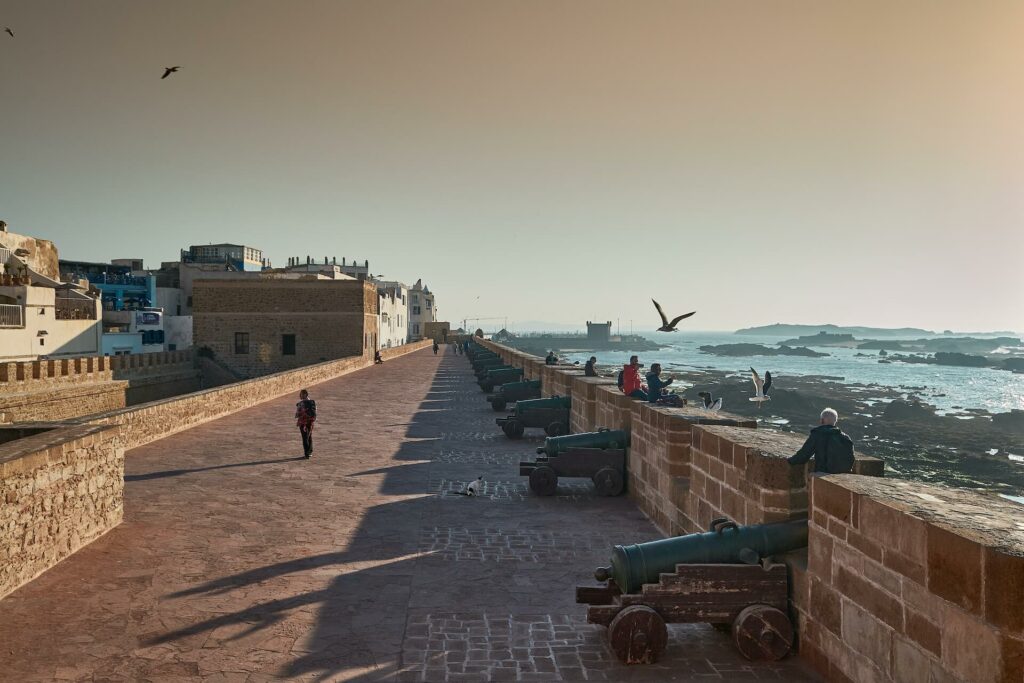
{"type": "Point", "coordinates": [39, 316]}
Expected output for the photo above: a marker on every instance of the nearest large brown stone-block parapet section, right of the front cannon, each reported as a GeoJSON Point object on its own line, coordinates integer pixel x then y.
{"type": "Point", "coordinates": [908, 582]}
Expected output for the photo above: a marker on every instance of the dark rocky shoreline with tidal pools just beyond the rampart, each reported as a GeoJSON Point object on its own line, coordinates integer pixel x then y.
{"type": "Point", "coordinates": [971, 449]}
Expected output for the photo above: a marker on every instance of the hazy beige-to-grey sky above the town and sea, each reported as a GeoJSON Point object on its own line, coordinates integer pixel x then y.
{"type": "Point", "coordinates": [760, 162]}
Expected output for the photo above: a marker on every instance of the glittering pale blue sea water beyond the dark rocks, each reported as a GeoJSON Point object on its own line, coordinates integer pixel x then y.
{"type": "Point", "coordinates": [951, 390]}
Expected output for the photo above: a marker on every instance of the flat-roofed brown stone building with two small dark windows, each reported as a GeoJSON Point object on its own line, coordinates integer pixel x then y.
{"type": "Point", "coordinates": [257, 327]}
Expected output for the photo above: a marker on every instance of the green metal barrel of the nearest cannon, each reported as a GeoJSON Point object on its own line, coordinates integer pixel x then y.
{"type": "Point", "coordinates": [634, 566]}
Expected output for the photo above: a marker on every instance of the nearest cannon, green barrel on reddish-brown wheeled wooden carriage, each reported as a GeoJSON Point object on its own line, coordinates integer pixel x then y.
{"type": "Point", "coordinates": [724, 577]}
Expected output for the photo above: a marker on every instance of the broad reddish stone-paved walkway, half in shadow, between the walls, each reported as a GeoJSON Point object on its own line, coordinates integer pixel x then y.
{"type": "Point", "coordinates": [241, 562]}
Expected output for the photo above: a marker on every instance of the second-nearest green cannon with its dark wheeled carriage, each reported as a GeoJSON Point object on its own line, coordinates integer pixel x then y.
{"type": "Point", "coordinates": [600, 456]}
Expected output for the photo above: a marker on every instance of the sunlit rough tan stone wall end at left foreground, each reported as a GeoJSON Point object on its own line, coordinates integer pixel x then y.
{"type": "Point", "coordinates": [60, 491]}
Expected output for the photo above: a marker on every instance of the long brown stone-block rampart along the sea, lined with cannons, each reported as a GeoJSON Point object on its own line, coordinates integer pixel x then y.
{"type": "Point", "coordinates": [902, 582]}
